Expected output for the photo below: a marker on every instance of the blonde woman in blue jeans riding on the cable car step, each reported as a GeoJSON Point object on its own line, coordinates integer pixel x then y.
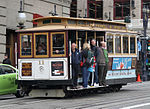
{"type": "Point", "coordinates": [87, 63]}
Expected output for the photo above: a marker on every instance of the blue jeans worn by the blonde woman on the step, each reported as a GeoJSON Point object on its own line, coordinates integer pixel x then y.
{"type": "Point", "coordinates": [85, 76]}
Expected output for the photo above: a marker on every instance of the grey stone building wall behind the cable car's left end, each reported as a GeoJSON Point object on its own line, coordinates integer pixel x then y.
{"type": "Point", "coordinates": [8, 19]}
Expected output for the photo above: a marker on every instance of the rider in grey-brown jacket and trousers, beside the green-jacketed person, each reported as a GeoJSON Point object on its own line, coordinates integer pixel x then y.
{"type": "Point", "coordinates": [101, 65]}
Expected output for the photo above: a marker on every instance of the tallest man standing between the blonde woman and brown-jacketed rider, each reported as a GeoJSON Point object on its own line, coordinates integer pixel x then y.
{"type": "Point", "coordinates": [96, 52]}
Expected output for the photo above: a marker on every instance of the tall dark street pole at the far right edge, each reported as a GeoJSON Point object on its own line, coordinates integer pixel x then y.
{"type": "Point", "coordinates": [145, 22]}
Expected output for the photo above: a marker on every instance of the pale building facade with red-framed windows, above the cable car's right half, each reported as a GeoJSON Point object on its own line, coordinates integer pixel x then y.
{"type": "Point", "coordinates": [115, 10]}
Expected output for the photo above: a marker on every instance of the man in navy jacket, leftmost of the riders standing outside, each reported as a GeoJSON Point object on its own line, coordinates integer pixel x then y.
{"type": "Point", "coordinates": [75, 59]}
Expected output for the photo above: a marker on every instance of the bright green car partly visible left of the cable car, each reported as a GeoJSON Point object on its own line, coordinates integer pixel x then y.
{"type": "Point", "coordinates": [8, 84]}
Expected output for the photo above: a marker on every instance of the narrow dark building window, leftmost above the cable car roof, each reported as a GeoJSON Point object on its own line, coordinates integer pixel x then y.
{"type": "Point", "coordinates": [73, 10]}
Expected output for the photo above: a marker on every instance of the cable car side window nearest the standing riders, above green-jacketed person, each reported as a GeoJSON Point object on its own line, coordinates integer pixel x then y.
{"type": "Point", "coordinates": [110, 43]}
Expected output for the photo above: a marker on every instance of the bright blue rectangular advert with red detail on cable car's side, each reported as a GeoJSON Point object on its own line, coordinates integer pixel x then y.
{"type": "Point", "coordinates": [121, 63]}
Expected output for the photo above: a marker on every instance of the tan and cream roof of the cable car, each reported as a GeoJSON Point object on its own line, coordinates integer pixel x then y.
{"type": "Point", "coordinates": [87, 24]}
